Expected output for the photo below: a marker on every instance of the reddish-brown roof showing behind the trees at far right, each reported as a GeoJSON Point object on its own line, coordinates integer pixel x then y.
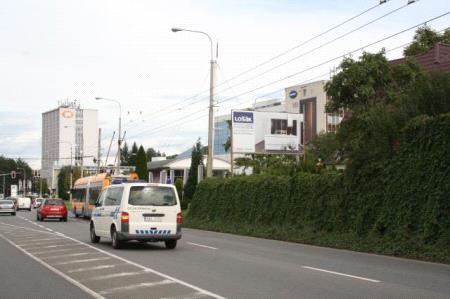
{"type": "Point", "coordinates": [436, 58]}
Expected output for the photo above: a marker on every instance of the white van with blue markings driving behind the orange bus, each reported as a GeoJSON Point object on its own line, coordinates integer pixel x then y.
{"type": "Point", "coordinates": [137, 211]}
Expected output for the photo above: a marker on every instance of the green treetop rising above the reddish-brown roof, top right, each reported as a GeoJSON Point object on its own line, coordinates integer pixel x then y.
{"type": "Point", "coordinates": [424, 39]}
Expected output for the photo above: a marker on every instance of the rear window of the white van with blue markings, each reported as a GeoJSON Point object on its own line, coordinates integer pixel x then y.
{"type": "Point", "coordinates": [152, 196]}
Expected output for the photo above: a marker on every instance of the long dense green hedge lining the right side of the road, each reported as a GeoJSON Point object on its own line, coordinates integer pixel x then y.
{"type": "Point", "coordinates": [398, 207]}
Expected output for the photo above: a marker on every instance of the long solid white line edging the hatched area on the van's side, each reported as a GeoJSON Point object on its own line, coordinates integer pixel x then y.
{"type": "Point", "coordinates": [128, 262]}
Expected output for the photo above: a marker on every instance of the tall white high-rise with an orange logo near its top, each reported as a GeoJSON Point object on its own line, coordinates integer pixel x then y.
{"type": "Point", "coordinates": [69, 135]}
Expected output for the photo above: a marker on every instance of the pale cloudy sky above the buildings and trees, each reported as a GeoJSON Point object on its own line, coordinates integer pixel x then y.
{"type": "Point", "coordinates": [53, 50]}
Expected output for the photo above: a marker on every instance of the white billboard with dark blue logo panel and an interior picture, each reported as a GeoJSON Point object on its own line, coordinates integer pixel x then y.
{"type": "Point", "coordinates": [267, 132]}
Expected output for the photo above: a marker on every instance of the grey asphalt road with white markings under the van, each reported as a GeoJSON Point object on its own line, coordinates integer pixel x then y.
{"type": "Point", "coordinates": [204, 265]}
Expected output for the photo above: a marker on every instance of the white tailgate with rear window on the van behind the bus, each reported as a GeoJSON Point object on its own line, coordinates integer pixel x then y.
{"type": "Point", "coordinates": [153, 210]}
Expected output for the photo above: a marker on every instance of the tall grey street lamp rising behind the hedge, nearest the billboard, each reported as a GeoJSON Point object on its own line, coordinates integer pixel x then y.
{"type": "Point", "coordinates": [209, 169]}
